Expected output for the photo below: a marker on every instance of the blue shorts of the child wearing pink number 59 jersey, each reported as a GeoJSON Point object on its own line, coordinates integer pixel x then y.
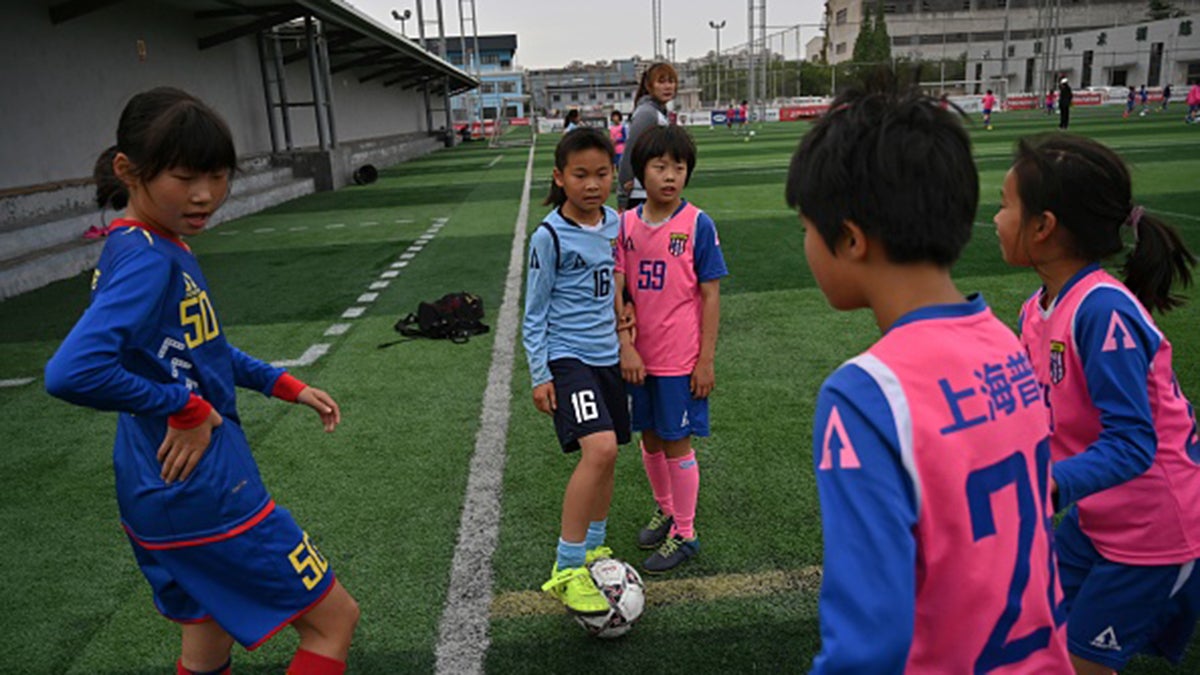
{"type": "Point", "coordinates": [665, 405]}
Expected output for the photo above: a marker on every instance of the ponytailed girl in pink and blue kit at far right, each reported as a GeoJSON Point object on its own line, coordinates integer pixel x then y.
{"type": "Point", "coordinates": [1124, 437]}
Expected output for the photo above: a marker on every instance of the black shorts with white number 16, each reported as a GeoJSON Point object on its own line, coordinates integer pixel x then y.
{"type": "Point", "coordinates": [591, 399]}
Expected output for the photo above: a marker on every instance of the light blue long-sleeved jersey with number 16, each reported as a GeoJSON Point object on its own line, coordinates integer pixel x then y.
{"type": "Point", "coordinates": [569, 295]}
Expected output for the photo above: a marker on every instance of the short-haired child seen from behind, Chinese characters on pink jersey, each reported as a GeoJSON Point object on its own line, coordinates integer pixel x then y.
{"type": "Point", "coordinates": [931, 449]}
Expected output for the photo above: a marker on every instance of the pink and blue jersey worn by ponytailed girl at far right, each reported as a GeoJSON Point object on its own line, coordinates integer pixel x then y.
{"type": "Point", "coordinates": [1078, 349]}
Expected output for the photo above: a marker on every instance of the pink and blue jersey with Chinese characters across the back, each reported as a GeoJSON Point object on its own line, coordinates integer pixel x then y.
{"type": "Point", "coordinates": [946, 399]}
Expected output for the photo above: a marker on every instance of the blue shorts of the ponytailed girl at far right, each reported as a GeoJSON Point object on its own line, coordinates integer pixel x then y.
{"type": "Point", "coordinates": [1117, 611]}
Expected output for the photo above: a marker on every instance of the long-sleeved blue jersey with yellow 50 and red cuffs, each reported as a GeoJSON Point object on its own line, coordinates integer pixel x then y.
{"type": "Point", "coordinates": [148, 342]}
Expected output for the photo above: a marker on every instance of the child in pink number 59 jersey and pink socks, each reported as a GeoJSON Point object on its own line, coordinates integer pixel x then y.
{"type": "Point", "coordinates": [670, 260]}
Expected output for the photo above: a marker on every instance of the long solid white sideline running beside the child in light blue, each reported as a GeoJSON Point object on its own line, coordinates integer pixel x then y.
{"type": "Point", "coordinates": [463, 632]}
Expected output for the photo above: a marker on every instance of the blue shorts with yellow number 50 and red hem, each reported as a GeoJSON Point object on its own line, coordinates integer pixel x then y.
{"type": "Point", "coordinates": [253, 584]}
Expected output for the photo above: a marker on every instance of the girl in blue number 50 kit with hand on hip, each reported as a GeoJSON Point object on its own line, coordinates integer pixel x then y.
{"type": "Point", "coordinates": [221, 558]}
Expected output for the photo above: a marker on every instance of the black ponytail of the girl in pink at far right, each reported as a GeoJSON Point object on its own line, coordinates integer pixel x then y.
{"type": "Point", "coordinates": [1159, 261]}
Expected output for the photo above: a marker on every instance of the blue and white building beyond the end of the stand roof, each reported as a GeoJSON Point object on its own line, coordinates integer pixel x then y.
{"type": "Point", "coordinates": [502, 81]}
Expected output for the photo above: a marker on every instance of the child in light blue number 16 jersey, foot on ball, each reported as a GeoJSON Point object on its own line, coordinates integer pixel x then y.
{"type": "Point", "coordinates": [571, 341]}
